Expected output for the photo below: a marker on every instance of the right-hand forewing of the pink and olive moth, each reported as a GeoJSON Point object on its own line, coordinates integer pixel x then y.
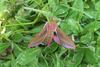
{"type": "Point", "coordinates": [65, 40]}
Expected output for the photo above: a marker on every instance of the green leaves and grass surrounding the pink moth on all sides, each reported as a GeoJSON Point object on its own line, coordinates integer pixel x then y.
{"type": "Point", "coordinates": [20, 20]}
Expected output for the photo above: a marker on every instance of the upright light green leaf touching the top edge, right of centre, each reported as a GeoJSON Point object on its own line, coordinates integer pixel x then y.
{"type": "Point", "coordinates": [77, 5]}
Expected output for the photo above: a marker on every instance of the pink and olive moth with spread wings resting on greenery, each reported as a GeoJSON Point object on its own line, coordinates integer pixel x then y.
{"type": "Point", "coordinates": [51, 32]}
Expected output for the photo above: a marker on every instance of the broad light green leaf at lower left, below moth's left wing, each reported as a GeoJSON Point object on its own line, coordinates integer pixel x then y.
{"type": "Point", "coordinates": [27, 56]}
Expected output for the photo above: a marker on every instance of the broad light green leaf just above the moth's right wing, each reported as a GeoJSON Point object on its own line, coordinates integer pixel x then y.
{"type": "Point", "coordinates": [71, 26]}
